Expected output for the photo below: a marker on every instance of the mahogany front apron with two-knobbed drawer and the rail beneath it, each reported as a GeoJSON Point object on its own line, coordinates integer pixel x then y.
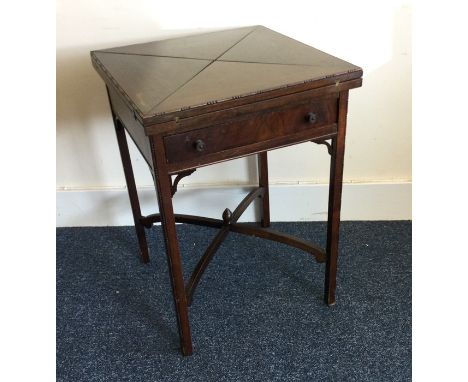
{"type": "Point", "coordinates": [257, 131]}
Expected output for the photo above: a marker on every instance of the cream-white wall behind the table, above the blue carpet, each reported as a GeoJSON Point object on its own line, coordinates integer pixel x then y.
{"type": "Point", "coordinates": [373, 35]}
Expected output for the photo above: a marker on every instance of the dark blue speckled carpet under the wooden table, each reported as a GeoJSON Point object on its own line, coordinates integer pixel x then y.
{"type": "Point", "coordinates": [258, 313]}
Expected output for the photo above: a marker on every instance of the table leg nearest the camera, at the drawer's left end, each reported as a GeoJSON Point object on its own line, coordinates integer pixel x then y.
{"type": "Point", "coordinates": [163, 189]}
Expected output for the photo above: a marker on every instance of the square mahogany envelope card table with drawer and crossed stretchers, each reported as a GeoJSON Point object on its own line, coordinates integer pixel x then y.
{"type": "Point", "coordinates": [194, 101]}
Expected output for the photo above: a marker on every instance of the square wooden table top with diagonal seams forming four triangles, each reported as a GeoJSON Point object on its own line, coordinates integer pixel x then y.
{"type": "Point", "coordinates": [211, 71]}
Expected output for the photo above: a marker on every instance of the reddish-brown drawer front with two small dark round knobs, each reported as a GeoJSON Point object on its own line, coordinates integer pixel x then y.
{"type": "Point", "coordinates": [261, 127]}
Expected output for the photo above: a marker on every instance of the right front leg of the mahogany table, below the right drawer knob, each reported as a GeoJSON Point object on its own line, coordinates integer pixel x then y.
{"type": "Point", "coordinates": [334, 200]}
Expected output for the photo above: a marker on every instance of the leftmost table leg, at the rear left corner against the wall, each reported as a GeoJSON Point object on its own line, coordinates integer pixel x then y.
{"type": "Point", "coordinates": [131, 187]}
